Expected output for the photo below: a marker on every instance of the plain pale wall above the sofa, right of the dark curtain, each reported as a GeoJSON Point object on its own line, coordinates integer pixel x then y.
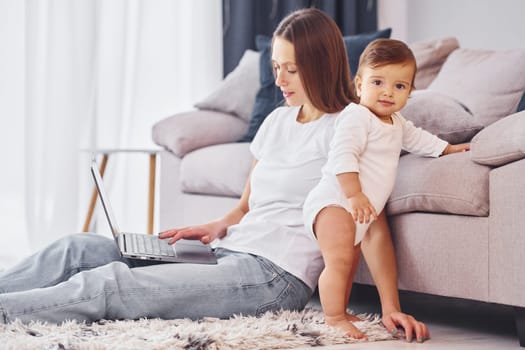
{"type": "Point", "coordinates": [486, 24]}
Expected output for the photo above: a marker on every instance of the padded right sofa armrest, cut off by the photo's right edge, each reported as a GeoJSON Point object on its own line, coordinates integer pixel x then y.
{"type": "Point", "coordinates": [501, 142]}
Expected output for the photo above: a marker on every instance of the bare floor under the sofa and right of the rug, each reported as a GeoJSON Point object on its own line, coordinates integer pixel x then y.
{"type": "Point", "coordinates": [454, 324]}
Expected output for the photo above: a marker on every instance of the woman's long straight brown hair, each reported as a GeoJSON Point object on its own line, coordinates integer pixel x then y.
{"type": "Point", "coordinates": [320, 56]}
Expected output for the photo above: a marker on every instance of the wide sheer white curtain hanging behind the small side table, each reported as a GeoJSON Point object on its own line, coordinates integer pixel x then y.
{"type": "Point", "coordinates": [98, 75]}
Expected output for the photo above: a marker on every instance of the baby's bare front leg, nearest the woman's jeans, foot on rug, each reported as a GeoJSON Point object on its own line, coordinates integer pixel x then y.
{"type": "Point", "coordinates": [335, 231]}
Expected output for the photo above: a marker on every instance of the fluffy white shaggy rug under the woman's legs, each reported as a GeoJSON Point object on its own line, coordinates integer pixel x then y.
{"type": "Point", "coordinates": [284, 330]}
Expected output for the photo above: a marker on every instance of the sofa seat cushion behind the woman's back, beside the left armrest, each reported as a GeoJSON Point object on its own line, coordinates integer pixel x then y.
{"type": "Point", "coordinates": [219, 170]}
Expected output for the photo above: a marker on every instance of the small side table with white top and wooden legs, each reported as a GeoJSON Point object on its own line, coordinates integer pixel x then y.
{"type": "Point", "coordinates": [151, 184]}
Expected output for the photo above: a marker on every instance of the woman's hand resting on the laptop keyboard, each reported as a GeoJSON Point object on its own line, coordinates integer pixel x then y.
{"type": "Point", "coordinates": [205, 233]}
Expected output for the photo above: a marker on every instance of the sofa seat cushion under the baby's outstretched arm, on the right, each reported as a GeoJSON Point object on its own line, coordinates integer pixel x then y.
{"type": "Point", "coordinates": [451, 184]}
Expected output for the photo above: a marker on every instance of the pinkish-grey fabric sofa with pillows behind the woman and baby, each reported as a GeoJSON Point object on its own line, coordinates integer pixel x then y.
{"type": "Point", "coordinates": [457, 221]}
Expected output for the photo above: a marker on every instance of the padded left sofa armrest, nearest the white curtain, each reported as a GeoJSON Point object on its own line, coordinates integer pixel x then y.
{"type": "Point", "coordinates": [188, 131]}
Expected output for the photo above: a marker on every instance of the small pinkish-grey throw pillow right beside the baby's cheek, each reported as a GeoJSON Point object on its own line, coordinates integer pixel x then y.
{"type": "Point", "coordinates": [441, 115]}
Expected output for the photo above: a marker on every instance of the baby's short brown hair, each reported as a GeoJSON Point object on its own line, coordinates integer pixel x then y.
{"type": "Point", "coordinates": [382, 52]}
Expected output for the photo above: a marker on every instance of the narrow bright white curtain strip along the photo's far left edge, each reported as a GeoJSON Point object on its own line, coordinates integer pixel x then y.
{"type": "Point", "coordinates": [13, 239]}
